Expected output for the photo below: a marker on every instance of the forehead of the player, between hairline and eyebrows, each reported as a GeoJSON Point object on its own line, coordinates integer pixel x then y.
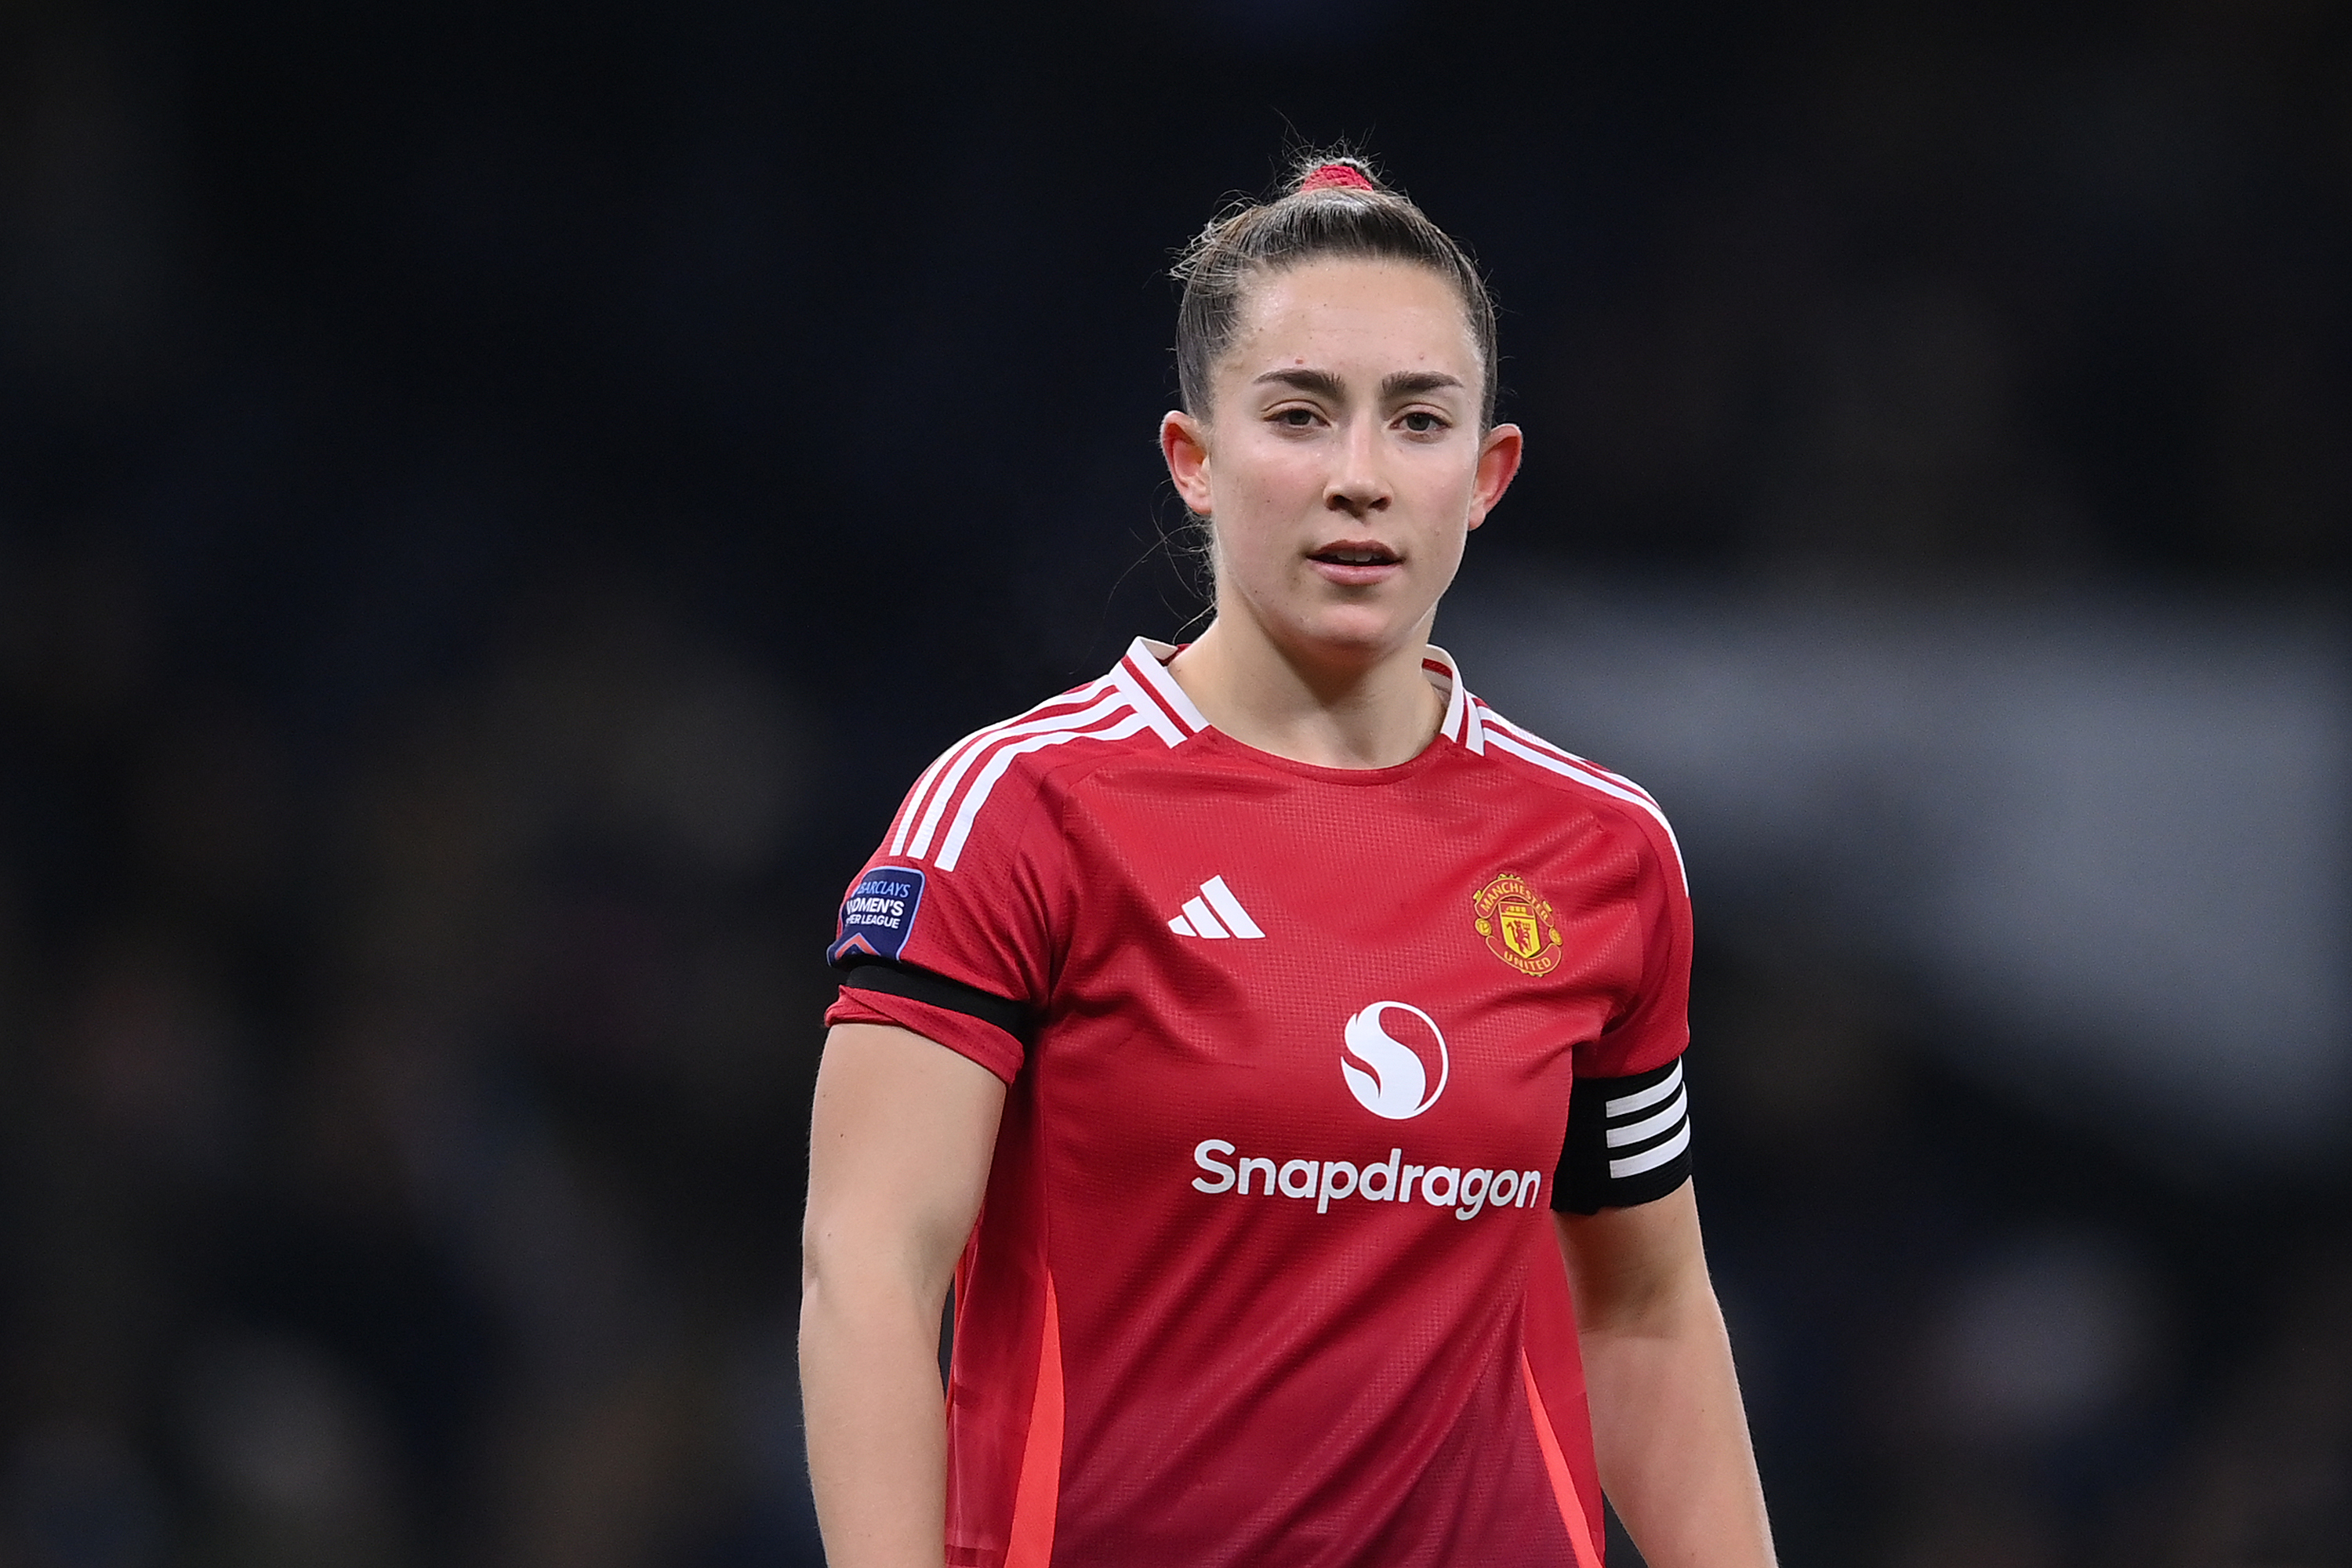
{"type": "Point", "coordinates": [1354, 311]}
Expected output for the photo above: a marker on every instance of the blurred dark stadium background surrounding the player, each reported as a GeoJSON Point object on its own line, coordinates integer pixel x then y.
{"type": "Point", "coordinates": [497, 504]}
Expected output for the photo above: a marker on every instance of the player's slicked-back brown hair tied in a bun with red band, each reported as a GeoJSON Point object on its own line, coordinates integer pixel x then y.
{"type": "Point", "coordinates": [1335, 206]}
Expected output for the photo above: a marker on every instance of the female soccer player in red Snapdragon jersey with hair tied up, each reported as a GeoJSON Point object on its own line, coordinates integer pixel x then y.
{"type": "Point", "coordinates": [1215, 1026]}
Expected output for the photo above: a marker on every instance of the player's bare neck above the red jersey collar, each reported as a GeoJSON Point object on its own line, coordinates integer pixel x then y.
{"type": "Point", "coordinates": [1339, 713]}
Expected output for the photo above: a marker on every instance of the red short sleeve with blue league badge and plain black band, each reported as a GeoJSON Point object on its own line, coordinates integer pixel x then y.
{"type": "Point", "coordinates": [956, 946]}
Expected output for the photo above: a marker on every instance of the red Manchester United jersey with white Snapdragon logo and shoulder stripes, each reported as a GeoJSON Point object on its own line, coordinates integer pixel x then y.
{"type": "Point", "coordinates": [1264, 1271]}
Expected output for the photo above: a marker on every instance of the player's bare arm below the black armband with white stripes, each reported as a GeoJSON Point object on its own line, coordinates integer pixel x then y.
{"type": "Point", "coordinates": [1666, 1407]}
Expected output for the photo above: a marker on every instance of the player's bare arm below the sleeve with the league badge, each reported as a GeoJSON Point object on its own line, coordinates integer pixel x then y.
{"type": "Point", "coordinates": [900, 1155]}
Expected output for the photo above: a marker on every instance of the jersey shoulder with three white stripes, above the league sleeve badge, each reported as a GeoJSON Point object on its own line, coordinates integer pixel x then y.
{"type": "Point", "coordinates": [996, 779]}
